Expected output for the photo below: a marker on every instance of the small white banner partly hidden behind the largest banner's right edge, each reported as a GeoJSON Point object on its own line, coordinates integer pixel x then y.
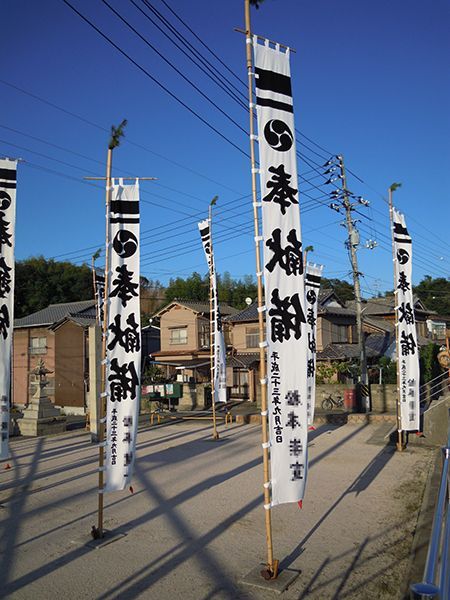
{"type": "Point", "coordinates": [312, 286]}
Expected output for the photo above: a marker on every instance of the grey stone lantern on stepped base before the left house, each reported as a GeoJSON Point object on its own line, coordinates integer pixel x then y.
{"type": "Point", "coordinates": [41, 417]}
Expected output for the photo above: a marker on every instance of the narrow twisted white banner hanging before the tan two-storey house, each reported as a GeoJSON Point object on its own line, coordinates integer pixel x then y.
{"type": "Point", "coordinates": [219, 363]}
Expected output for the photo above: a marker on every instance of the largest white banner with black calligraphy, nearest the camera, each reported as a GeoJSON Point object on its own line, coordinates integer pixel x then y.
{"type": "Point", "coordinates": [283, 275]}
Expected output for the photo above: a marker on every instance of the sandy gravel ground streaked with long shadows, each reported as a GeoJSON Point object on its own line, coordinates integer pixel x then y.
{"type": "Point", "coordinates": [195, 523]}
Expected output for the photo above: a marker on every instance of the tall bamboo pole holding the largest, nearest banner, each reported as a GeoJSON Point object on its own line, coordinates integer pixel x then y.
{"type": "Point", "coordinates": [271, 570]}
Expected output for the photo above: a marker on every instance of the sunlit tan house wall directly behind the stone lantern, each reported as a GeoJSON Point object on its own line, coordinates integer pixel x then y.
{"type": "Point", "coordinates": [25, 361]}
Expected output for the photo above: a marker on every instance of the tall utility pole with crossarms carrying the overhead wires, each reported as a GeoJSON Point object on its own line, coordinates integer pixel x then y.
{"type": "Point", "coordinates": [352, 244]}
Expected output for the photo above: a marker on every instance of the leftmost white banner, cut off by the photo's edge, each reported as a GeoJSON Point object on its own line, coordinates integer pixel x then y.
{"type": "Point", "coordinates": [8, 180]}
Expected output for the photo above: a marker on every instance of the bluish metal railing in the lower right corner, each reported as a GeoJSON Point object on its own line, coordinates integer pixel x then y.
{"type": "Point", "coordinates": [436, 577]}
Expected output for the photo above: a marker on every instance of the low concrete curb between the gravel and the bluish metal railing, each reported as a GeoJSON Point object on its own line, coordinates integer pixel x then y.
{"type": "Point", "coordinates": [419, 548]}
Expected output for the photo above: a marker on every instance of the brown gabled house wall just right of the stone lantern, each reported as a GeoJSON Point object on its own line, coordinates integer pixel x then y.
{"type": "Point", "coordinates": [70, 361]}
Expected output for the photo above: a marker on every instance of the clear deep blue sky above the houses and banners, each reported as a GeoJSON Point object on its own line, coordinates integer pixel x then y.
{"type": "Point", "coordinates": [370, 82]}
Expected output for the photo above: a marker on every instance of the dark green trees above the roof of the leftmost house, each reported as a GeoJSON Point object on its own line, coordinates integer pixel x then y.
{"type": "Point", "coordinates": [40, 282]}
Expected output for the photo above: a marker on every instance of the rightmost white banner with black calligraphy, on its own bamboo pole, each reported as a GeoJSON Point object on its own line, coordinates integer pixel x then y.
{"type": "Point", "coordinates": [405, 322]}
